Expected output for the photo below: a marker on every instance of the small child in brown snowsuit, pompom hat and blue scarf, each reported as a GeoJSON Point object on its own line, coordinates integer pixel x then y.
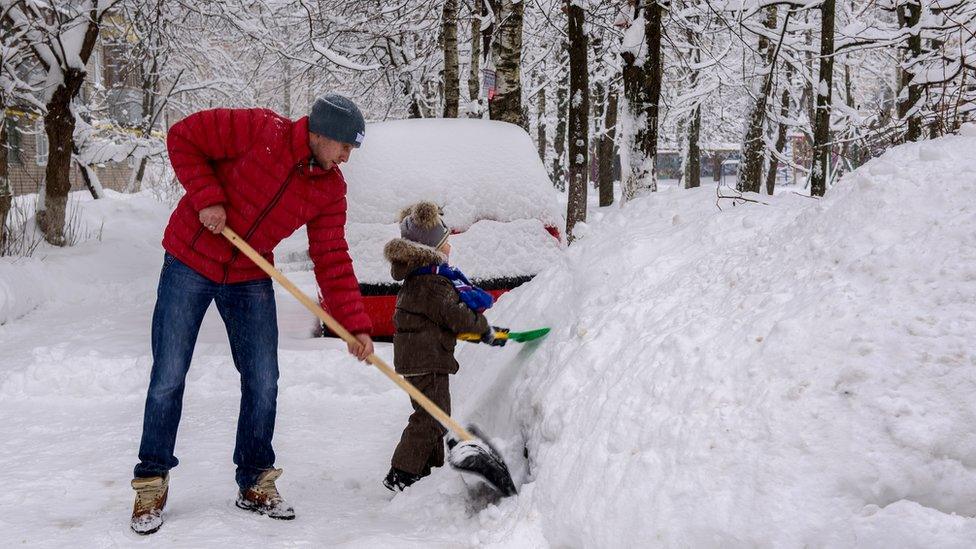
{"type": "Point", "coordinates": [435, 304]}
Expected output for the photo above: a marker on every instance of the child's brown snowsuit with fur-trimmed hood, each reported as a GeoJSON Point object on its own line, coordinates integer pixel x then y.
{"type": "Point", "coordinates": [429, 315]}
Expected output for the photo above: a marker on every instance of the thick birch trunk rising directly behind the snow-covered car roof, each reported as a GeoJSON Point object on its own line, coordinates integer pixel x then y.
{"type": "Point", "coordinates": [507, 53]}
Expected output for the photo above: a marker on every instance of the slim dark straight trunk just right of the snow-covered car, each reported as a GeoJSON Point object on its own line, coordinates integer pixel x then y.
{"type": "Point", "coordinates": [579, 107]}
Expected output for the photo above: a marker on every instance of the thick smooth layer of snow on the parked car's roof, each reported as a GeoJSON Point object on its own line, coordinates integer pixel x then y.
{"type": "Point", "coordinates": [474, 169]}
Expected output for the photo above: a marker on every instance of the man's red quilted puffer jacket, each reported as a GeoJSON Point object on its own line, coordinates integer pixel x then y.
{"type": "Point", "coordinates": [257, 164]}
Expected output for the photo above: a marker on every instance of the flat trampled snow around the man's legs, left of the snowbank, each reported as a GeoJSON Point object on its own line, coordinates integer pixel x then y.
{"type": "Point", "coordinates": [72, 387]}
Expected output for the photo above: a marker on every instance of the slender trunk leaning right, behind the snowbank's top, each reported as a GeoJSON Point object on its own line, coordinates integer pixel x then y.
{"type": "Point", "coordinates": [753, 147]}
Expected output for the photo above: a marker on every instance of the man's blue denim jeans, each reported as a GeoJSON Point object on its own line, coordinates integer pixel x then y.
{"type": "Point", "coordinates": [248, 311]}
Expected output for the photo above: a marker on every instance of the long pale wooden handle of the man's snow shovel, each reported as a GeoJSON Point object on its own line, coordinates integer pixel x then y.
{"type": "Point", "coordinates": [337, 328]}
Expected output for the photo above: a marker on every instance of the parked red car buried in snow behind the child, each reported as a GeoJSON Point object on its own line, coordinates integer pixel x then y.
{"type": "Point", "coordinates": [487, 177]}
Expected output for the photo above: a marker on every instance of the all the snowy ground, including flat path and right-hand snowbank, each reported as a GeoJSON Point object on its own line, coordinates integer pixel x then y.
{"type": "Point", "coordinates": [785, 375]}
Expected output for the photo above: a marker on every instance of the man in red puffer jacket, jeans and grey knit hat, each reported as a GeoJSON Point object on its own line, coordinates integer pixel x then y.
{"type": "Point", "coordinates": [264, 176]}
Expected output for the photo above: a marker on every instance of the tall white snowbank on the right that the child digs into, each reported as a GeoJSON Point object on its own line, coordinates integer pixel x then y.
{"type": "Point", "coordinates": [798, 374]}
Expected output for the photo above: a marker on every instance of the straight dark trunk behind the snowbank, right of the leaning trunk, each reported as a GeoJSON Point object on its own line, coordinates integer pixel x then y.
{"type": "Point", "coordinates": [821, 128]}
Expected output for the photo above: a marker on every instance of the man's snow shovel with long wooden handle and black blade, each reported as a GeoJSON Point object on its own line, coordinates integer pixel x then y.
{"type": "Point", "coordinates": [470, 453]}
